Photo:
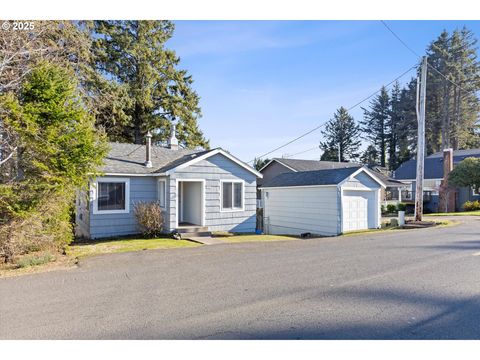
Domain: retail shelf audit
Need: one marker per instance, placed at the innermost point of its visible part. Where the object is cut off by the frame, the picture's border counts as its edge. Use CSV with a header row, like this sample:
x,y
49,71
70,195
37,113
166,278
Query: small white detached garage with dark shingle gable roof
x,y
323,202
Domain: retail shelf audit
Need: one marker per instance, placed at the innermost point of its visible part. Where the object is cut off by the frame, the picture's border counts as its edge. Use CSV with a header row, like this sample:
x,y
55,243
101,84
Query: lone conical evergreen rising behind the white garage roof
x,y
342,137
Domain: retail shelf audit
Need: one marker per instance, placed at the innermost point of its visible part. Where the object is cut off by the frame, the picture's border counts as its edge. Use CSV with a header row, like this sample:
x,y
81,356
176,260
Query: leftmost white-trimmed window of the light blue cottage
x,y
112,196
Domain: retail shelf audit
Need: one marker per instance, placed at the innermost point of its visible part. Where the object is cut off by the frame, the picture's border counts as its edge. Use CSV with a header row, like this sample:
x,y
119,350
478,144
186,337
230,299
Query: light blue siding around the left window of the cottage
x,y
109,225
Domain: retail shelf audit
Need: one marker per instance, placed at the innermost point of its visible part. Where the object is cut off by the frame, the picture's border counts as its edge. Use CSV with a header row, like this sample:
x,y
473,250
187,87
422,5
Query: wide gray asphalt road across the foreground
x,y
417,284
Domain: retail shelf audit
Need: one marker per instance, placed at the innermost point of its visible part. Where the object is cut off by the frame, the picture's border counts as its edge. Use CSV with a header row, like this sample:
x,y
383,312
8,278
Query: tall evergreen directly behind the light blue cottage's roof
x,y
133,53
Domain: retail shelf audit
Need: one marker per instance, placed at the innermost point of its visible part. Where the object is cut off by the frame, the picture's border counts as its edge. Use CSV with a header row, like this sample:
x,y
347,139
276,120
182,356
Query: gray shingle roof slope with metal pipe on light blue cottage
x,y
130,159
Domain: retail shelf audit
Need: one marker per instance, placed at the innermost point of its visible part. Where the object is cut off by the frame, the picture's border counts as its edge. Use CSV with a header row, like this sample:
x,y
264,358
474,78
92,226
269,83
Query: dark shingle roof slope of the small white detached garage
x,y
317,177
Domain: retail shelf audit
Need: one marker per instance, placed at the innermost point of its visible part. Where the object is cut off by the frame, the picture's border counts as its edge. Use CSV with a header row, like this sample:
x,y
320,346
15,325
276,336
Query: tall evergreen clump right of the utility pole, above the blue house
x,y
452,110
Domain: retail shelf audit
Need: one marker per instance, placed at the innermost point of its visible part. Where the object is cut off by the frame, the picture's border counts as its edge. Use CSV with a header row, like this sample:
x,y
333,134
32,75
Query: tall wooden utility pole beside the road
x,y
421,98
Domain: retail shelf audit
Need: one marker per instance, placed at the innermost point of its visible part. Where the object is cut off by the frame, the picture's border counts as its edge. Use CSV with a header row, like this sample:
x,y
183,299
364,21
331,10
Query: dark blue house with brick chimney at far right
x,y
436,166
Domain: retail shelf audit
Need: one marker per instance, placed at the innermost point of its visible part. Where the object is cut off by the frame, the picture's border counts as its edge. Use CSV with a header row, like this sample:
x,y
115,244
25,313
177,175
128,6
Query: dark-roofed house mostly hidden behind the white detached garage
x,y
391,194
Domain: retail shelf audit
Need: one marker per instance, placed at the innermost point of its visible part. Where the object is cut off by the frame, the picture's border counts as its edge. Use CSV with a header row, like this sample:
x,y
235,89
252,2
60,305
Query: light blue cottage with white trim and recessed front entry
x,y
208,189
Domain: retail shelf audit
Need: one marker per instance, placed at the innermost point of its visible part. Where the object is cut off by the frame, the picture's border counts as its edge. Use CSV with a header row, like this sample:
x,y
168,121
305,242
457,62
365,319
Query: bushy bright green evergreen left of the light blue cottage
x,y
59,149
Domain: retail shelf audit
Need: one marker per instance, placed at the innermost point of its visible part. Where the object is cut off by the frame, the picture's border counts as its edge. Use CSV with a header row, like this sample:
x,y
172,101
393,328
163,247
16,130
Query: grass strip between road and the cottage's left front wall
x,y
125,245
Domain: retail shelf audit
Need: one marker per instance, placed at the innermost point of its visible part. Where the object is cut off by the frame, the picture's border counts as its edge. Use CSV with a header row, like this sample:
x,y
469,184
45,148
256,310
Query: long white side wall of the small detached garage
x,y
297,210
